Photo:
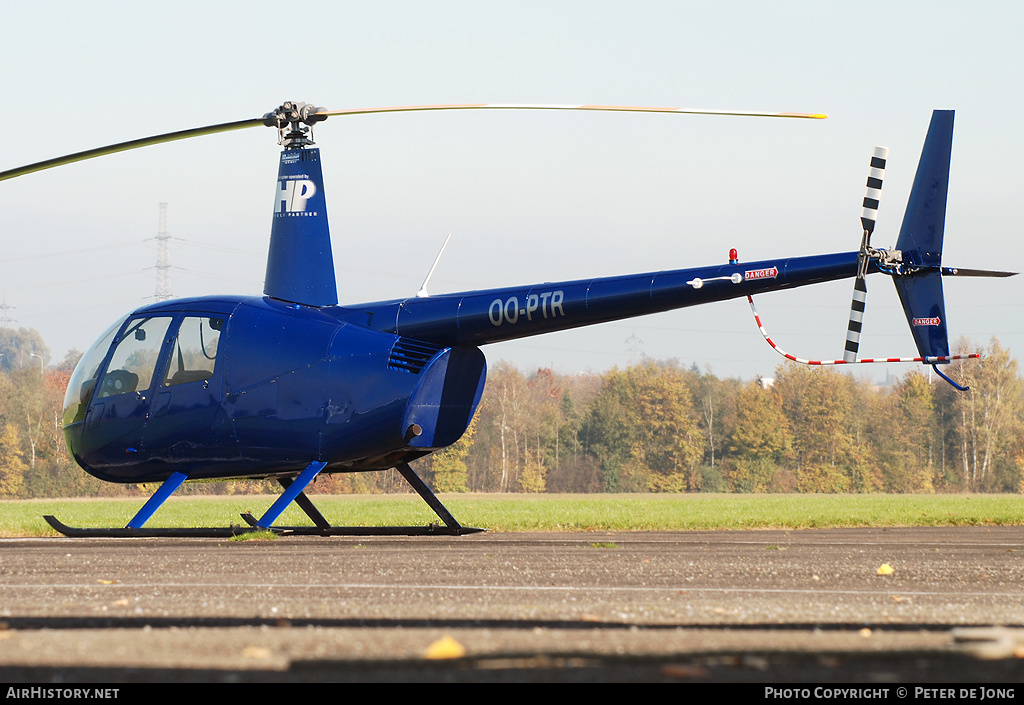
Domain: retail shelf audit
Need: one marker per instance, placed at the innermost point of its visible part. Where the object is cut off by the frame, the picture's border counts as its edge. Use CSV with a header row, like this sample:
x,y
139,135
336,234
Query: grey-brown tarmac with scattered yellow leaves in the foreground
x,y
869,606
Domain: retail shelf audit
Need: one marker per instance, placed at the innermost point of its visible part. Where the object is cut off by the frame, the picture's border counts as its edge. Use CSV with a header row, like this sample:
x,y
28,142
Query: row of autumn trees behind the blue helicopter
x,y
655,427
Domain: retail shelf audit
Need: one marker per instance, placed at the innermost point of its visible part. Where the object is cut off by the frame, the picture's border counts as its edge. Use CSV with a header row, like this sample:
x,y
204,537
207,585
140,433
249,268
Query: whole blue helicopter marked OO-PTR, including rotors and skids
x,y
292,385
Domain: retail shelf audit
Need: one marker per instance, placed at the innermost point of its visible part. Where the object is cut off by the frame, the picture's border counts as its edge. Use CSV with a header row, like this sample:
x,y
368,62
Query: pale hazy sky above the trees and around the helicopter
x,y
528,197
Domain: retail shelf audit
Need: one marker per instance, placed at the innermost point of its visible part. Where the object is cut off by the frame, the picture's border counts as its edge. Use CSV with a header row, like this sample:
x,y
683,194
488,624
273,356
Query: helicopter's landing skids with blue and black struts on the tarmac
x,y
293,492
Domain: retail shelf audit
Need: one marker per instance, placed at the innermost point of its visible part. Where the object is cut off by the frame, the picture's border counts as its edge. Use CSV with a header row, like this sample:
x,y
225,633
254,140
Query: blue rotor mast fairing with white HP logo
x,y
301,266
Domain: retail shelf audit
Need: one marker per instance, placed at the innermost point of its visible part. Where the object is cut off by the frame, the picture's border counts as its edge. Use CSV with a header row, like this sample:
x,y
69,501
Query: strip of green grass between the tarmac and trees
x,y
543,513
